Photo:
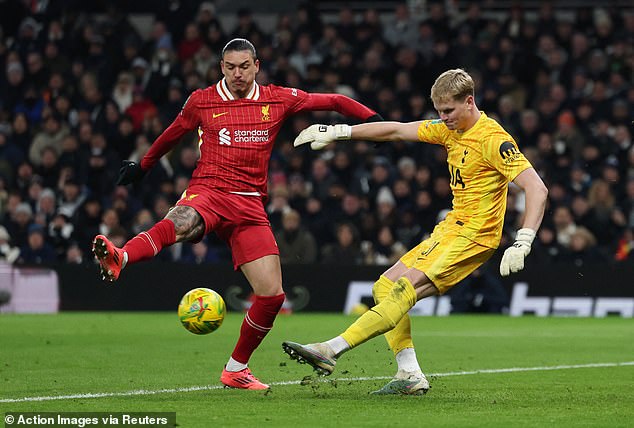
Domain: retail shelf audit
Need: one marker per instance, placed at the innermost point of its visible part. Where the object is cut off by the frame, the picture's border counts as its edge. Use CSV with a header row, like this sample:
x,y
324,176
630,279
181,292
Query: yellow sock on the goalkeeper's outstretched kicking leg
x,y
383,317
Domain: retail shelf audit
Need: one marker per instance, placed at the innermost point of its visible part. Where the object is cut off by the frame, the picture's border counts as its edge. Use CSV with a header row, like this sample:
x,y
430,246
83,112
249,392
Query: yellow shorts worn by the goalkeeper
x,y
447,257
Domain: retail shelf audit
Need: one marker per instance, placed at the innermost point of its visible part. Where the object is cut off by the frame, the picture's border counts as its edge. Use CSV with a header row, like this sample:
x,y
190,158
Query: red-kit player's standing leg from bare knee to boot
x,y
265,277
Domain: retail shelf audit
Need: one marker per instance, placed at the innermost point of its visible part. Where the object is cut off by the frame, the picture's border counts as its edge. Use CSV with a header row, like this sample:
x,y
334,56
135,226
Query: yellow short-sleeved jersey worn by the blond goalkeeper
x,y
482,161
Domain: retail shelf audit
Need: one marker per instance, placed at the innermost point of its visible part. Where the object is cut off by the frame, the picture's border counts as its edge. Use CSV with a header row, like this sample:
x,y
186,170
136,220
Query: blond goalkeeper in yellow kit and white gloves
x,y
482,159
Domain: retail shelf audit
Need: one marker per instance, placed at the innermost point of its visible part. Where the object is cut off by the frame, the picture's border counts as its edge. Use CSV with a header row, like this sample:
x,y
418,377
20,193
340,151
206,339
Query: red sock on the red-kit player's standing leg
x,y
257,323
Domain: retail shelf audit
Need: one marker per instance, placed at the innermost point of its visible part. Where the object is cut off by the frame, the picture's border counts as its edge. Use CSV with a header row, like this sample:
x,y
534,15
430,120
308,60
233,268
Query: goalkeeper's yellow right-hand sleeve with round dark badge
x,y
503,154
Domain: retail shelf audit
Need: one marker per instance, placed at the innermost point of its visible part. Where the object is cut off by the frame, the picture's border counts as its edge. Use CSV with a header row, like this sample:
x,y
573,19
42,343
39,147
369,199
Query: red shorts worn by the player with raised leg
x,y
238,220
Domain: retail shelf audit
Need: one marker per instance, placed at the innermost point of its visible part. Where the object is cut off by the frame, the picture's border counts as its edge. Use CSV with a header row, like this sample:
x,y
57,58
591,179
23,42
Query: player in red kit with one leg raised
x,y
237,121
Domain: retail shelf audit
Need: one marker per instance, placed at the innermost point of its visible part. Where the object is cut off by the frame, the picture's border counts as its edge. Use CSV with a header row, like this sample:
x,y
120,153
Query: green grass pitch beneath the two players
x,y
563,371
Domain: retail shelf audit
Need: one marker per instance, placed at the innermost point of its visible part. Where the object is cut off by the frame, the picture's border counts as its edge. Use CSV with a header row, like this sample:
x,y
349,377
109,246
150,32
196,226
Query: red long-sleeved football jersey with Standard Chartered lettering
x,y
236,136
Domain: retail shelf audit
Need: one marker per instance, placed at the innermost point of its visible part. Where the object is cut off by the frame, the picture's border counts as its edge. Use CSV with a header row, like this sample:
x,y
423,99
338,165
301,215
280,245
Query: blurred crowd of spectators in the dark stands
x,y
81,91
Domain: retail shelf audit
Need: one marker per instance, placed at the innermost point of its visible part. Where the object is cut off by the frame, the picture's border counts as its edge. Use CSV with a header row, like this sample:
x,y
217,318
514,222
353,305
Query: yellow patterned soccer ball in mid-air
x,y
201,311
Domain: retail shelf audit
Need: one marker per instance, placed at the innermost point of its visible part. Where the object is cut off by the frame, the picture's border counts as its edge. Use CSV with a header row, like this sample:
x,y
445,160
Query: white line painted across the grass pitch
x,y
295,382
